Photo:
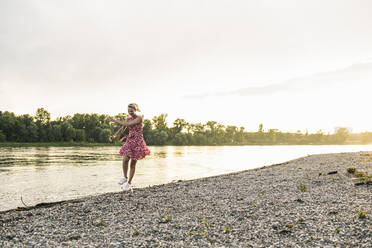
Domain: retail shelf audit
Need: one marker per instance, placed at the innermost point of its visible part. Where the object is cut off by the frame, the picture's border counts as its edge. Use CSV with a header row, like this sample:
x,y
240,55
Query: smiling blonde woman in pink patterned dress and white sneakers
x,y
135,147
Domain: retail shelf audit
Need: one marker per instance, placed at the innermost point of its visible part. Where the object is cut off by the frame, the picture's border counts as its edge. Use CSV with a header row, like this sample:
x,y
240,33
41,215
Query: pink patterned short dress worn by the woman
x,y
135,147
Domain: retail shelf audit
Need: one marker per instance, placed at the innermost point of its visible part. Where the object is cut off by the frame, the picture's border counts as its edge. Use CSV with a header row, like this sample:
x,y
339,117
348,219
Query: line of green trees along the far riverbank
x,y
95,128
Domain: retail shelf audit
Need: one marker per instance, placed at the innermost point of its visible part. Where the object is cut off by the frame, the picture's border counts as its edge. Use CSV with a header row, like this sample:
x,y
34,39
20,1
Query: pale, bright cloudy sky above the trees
x,y
290,64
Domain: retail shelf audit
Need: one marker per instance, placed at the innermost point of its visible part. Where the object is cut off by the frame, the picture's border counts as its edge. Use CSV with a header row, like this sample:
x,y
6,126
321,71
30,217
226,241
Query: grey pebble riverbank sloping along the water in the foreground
x,y
311,201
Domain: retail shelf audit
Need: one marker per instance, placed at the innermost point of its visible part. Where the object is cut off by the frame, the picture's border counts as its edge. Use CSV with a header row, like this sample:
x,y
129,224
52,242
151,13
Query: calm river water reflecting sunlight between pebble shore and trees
x,y
58,173
